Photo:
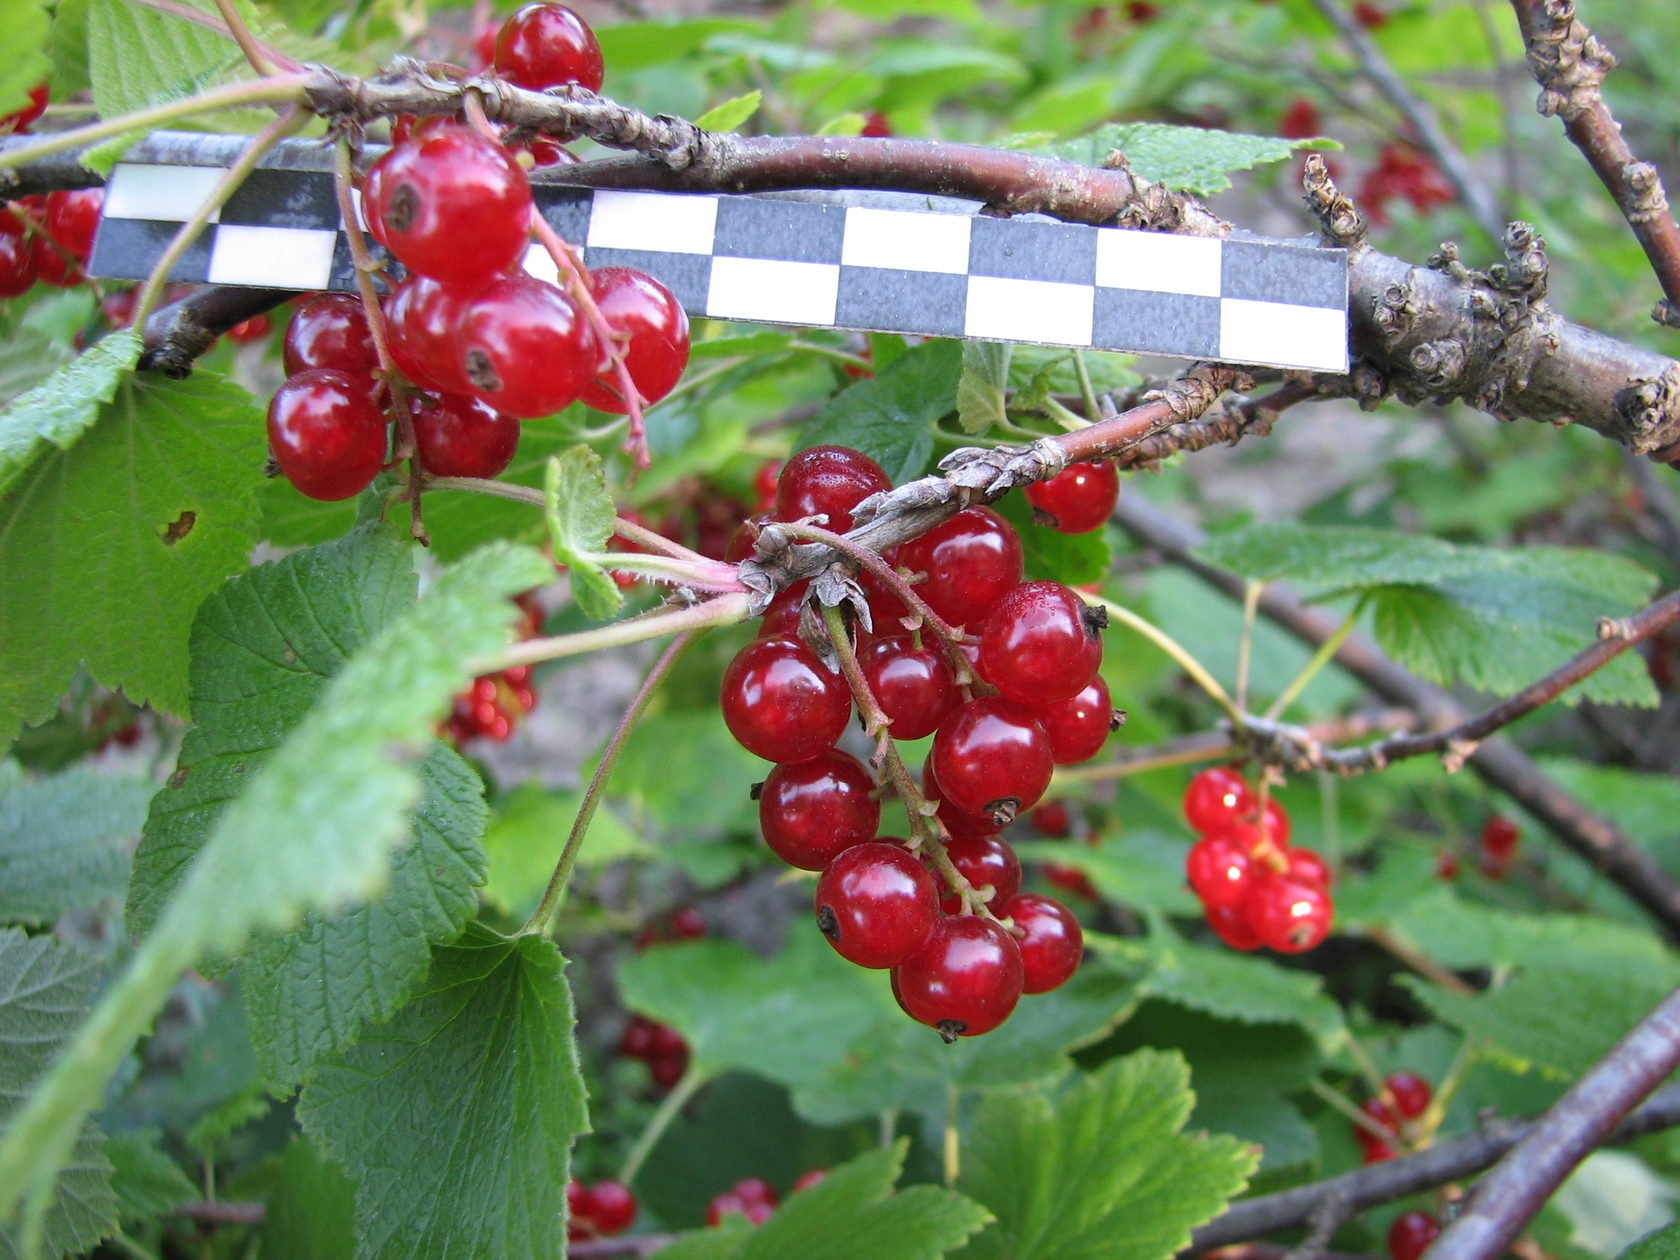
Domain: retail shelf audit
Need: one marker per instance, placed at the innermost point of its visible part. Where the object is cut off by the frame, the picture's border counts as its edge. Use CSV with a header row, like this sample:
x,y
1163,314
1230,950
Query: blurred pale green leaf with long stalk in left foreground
x,y
315,831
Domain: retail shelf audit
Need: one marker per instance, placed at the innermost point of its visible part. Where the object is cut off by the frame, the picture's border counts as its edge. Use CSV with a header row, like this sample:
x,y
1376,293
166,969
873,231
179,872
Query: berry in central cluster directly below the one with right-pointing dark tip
x,y
992,760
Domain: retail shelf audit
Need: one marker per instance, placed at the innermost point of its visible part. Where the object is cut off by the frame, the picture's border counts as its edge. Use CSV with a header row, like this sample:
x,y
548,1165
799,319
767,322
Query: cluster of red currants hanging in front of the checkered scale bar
x,y
486,344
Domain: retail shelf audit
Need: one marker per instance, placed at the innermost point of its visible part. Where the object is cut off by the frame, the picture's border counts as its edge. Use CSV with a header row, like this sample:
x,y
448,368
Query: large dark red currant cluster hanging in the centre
x,y
1017,700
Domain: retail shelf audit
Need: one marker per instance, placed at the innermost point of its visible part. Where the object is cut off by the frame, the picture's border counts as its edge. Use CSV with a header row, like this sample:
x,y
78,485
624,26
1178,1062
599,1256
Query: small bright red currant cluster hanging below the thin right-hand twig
x,y
1256,890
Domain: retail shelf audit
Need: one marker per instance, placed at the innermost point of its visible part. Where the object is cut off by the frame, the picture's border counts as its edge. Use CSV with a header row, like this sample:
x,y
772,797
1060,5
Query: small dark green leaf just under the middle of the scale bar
x,y
891,416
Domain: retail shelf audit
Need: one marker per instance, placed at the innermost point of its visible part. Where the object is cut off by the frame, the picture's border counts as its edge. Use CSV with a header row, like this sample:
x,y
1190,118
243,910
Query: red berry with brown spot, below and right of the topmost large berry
x,y
525,349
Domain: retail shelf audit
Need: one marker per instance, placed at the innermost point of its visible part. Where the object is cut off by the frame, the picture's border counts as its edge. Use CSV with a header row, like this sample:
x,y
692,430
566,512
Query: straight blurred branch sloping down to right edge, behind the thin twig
x,y
1498,762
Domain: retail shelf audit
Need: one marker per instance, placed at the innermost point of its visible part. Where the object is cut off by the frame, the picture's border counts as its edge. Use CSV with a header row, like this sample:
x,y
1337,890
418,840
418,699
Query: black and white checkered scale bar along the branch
x,y
790,260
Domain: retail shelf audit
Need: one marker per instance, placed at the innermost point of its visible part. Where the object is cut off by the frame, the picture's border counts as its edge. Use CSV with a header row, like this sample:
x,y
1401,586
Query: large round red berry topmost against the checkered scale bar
x,y
454,206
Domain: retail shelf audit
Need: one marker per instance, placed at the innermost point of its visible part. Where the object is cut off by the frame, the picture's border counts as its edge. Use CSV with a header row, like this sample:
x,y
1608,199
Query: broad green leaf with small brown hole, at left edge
x,y
107,550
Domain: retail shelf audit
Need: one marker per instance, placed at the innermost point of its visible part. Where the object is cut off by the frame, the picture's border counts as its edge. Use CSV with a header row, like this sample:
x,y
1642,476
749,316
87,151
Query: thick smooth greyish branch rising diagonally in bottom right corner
x,y
1577,1126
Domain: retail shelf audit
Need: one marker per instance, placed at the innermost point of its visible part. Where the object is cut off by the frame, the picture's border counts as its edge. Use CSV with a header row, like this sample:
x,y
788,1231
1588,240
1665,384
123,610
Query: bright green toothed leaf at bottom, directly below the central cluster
x,y
1101,1172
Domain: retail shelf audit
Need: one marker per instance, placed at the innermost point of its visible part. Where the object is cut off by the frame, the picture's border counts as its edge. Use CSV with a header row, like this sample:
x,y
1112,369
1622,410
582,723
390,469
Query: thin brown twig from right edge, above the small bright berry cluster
x,y
1459,742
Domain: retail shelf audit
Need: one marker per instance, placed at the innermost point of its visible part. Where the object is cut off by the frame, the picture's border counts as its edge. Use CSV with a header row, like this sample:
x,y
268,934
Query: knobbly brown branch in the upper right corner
x,y
1570,65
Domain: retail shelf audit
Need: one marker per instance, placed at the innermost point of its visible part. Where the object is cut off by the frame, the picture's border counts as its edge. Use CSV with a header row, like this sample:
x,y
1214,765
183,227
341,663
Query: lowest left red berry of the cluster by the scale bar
x,y
328,434
